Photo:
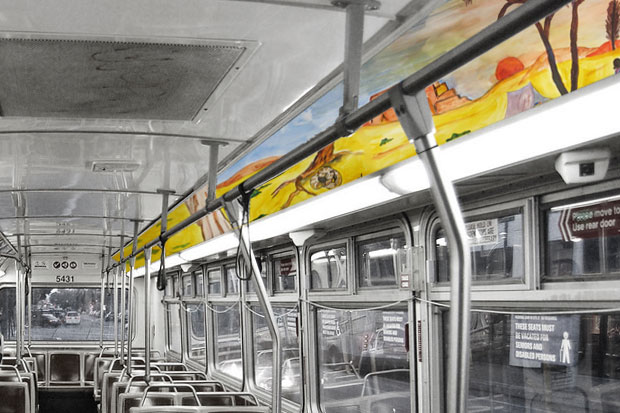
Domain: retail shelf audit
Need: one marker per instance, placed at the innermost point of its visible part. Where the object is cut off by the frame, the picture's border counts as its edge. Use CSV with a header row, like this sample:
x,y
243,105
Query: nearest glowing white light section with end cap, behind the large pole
x,y
582,117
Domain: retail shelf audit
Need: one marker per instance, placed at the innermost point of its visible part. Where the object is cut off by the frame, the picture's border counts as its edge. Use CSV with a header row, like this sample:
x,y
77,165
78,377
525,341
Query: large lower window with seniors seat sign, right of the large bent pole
x,y
543,363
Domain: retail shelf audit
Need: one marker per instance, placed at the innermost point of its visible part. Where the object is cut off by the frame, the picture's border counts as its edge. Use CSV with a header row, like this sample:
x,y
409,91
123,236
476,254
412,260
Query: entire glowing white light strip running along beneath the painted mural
x,y
582,117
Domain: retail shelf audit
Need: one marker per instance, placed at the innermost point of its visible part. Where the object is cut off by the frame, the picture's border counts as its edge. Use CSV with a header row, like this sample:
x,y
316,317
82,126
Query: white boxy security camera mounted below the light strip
x,y
582,166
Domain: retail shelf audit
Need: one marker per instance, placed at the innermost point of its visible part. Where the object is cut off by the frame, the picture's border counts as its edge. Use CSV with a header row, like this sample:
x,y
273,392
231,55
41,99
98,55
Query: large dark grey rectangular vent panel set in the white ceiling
x,y
112,79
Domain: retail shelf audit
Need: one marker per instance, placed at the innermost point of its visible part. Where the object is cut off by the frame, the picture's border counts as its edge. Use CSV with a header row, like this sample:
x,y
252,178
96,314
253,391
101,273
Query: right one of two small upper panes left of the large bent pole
x,y
378,261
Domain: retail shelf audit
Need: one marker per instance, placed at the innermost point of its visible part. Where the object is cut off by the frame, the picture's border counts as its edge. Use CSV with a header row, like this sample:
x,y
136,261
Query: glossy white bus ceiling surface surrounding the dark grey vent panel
x,y
294,48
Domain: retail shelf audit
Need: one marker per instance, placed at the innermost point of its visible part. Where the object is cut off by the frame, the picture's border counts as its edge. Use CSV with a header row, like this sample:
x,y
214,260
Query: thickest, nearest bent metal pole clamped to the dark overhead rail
x,y
417,122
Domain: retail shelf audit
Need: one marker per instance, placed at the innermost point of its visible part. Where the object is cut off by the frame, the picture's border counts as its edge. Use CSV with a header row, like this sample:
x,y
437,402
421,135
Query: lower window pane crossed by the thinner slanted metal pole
x,y
263,352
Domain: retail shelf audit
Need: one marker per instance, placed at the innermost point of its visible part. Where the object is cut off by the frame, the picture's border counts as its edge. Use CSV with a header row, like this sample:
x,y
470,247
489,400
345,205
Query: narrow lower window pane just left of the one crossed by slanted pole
x,y
228,341
